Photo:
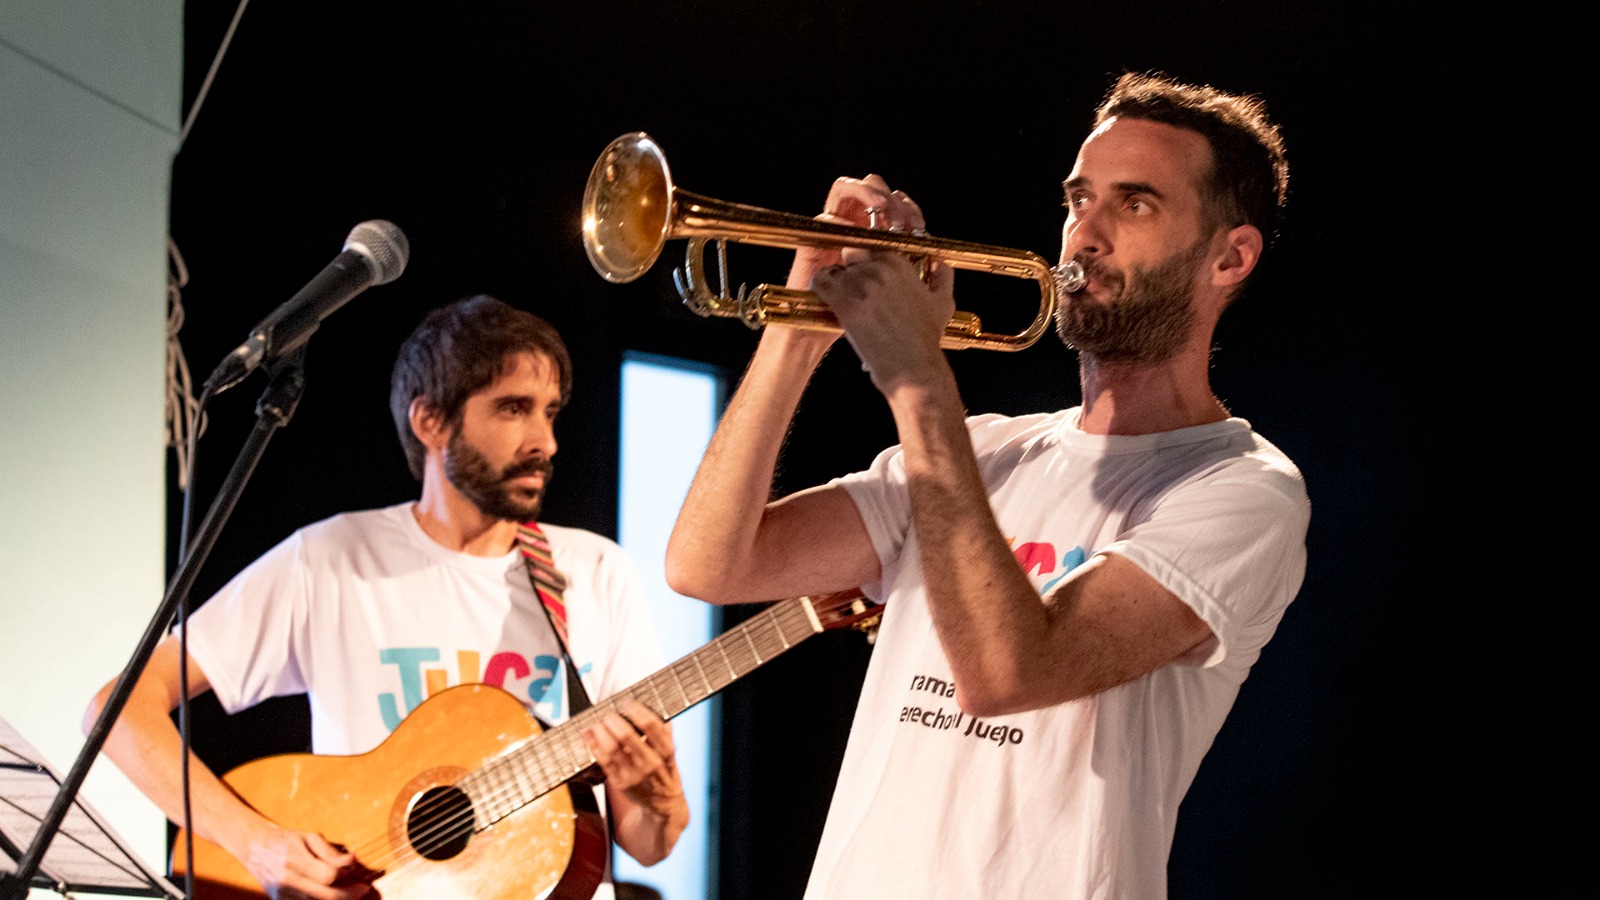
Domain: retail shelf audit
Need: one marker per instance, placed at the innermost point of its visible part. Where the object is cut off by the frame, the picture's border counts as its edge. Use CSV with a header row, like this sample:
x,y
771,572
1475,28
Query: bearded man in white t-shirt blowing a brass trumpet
x,y
1030,731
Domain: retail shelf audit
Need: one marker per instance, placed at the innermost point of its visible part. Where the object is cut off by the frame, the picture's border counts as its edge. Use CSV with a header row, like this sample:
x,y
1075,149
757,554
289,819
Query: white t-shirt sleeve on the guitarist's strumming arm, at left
x,y
242,638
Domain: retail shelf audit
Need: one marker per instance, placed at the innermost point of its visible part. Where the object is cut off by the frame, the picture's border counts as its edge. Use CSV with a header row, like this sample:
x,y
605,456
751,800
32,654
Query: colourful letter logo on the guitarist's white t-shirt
x,y
540,685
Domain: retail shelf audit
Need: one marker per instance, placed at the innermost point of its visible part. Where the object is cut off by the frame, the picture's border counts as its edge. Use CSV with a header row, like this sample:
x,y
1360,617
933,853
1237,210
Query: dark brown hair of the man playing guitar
x,y
458,352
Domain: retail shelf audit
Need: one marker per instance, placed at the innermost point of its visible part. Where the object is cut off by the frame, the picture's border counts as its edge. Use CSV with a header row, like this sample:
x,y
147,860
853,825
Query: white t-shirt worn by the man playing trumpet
x,y
1074,802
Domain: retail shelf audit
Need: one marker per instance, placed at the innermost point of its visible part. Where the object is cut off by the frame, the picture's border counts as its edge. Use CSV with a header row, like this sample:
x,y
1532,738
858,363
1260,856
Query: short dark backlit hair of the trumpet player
x,y
1250,175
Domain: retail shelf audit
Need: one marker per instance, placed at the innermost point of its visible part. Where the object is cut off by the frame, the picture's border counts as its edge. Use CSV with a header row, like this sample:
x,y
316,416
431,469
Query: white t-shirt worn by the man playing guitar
x,y
369,616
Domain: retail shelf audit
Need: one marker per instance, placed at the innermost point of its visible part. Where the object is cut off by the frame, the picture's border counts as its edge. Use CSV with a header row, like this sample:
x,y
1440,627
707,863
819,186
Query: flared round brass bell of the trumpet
x,y
628,209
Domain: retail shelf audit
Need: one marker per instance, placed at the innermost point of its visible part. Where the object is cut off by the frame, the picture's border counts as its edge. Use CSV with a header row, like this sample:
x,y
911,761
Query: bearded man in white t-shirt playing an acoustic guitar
x,y
374,613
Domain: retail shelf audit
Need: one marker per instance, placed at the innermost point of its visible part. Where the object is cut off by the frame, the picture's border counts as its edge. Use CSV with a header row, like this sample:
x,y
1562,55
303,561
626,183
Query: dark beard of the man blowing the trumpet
x,y
1148,316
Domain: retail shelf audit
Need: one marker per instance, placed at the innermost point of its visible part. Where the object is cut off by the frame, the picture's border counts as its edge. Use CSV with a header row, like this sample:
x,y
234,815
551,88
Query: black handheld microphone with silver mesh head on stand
x,y
375,254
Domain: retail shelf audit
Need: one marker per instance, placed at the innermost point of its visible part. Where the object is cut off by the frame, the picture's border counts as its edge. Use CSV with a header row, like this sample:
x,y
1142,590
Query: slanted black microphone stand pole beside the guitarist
x,y
274,409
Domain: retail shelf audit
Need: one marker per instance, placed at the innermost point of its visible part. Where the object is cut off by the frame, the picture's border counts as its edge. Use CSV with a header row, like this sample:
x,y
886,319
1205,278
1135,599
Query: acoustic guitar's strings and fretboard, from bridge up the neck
x,y
439,822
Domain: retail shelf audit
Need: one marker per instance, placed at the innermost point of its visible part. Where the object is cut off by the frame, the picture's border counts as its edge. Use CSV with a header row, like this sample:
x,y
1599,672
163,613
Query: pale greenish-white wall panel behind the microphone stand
x,y
89,126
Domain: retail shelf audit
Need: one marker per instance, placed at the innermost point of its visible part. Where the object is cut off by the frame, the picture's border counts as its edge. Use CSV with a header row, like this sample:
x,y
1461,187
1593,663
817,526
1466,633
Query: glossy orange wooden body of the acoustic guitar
x,y
556,846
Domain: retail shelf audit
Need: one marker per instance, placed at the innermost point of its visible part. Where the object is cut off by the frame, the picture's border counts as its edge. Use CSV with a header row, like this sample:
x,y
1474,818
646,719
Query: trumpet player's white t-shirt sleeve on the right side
x,y
1233,547
